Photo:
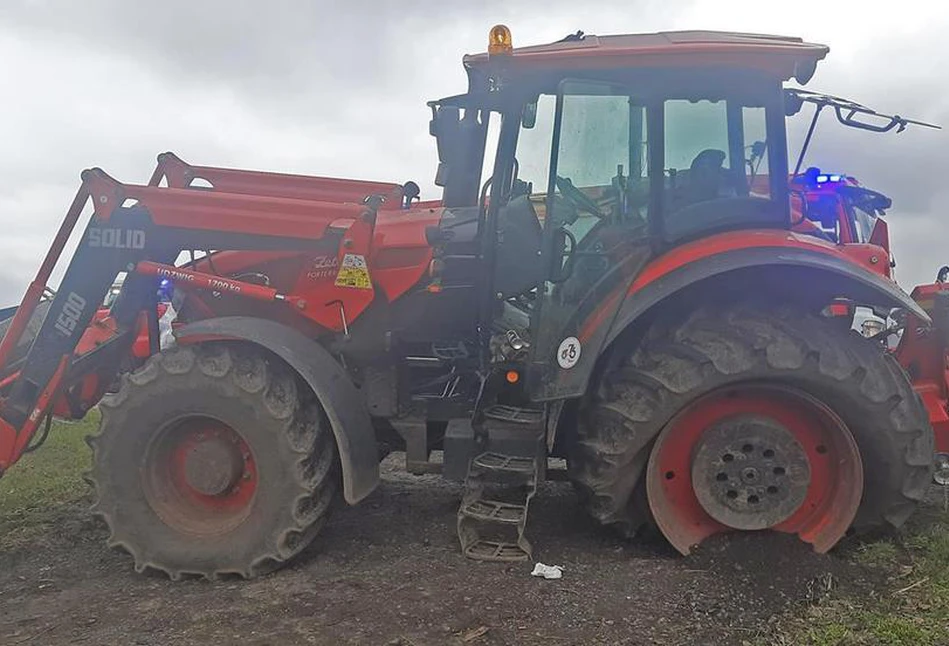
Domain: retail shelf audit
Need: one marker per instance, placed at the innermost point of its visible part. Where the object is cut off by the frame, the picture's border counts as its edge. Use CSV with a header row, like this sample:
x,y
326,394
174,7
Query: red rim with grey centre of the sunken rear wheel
x,y
783,428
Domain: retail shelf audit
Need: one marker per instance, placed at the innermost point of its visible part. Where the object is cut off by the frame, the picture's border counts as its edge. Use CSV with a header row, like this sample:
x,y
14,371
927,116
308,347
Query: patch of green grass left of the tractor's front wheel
x,y
38,486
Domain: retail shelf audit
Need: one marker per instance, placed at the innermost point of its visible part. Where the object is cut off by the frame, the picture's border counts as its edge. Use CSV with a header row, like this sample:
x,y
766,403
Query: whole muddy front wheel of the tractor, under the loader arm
x,y
213,460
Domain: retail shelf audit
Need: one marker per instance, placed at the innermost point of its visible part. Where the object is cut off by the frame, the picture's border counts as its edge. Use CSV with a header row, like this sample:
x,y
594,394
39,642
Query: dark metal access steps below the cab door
x,y
500,483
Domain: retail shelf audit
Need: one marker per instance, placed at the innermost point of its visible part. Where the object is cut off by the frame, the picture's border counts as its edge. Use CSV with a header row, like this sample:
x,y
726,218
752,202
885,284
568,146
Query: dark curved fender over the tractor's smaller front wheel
x,y
342,402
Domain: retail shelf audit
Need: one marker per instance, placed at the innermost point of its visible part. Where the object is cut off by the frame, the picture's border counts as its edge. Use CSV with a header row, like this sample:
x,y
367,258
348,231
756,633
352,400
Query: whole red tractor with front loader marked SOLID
x,y
632,284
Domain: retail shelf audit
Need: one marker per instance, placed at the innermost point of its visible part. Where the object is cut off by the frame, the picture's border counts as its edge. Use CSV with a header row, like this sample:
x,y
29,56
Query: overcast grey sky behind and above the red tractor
x,y
329,88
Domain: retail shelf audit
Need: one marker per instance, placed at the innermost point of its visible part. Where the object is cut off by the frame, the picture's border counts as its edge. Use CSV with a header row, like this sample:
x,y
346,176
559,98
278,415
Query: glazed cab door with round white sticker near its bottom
x,y
596,231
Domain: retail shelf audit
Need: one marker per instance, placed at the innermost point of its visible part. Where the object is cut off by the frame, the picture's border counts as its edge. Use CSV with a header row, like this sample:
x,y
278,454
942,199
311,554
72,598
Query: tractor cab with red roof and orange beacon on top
x,y
610,151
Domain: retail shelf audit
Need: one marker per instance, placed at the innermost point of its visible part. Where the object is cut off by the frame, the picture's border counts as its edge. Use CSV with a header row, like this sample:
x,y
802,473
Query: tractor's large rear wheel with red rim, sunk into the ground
x,y
743,419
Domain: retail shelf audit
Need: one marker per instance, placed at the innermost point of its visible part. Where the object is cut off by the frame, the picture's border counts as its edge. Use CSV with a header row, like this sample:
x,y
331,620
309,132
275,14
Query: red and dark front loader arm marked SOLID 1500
x,y
142,230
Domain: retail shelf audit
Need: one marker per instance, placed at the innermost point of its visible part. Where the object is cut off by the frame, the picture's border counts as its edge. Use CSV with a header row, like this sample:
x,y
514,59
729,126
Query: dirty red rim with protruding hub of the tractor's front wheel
x,y
200,476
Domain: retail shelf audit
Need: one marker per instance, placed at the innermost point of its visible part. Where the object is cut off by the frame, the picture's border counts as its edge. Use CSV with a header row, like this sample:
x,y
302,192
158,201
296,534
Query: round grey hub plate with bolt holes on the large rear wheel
x,y
749,472
